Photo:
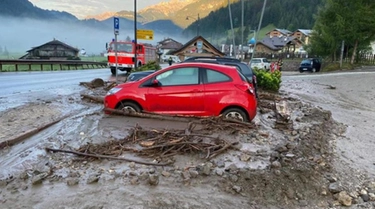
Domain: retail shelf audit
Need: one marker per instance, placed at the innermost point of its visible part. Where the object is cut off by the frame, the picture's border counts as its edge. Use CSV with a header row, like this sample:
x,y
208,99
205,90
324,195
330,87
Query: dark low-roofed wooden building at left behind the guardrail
x,y
53,50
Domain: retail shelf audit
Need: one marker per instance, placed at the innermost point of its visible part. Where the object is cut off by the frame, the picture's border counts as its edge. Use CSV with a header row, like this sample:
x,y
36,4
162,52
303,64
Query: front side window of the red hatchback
x,y
179,76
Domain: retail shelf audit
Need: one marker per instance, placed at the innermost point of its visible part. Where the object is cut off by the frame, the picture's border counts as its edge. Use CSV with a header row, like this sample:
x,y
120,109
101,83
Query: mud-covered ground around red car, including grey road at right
x,y
321,157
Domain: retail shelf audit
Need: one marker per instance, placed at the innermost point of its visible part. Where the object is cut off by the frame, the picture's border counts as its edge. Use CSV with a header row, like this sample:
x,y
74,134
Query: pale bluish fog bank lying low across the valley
x,y
19,35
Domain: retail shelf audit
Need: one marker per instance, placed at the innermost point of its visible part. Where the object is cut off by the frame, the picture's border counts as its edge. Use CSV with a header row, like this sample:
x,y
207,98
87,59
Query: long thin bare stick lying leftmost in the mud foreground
x,y
105,156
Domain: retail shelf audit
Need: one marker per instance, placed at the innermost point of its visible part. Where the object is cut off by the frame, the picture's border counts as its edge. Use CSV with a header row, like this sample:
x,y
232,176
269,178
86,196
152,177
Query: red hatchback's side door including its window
x,y
179,92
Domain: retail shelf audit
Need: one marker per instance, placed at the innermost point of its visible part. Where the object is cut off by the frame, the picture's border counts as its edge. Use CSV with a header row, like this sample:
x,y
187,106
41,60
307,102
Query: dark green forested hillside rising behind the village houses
x,y
290,14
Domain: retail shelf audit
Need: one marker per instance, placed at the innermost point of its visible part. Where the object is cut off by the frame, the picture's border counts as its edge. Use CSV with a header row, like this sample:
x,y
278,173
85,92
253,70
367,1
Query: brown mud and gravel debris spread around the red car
x,y
285,161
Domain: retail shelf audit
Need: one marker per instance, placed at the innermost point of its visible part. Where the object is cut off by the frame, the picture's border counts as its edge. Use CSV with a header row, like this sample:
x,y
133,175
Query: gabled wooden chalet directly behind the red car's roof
x,y
198,46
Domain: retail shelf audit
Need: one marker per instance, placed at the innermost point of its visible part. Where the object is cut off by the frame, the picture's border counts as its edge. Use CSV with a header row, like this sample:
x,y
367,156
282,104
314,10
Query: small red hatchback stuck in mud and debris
x,y
197,89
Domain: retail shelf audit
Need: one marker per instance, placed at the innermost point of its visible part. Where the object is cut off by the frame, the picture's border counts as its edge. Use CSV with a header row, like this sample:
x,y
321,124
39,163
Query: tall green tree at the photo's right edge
x,y
343,20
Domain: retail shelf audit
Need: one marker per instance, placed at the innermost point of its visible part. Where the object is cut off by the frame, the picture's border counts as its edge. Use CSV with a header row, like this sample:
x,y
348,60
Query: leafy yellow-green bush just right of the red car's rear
x,y
268,80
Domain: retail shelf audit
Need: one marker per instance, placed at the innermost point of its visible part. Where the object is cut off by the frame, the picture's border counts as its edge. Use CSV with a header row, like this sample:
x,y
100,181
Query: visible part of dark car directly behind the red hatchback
x,y
242,67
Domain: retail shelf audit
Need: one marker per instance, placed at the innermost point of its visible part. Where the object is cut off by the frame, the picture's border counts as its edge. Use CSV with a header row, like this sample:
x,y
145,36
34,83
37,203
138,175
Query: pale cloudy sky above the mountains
x,y
83,8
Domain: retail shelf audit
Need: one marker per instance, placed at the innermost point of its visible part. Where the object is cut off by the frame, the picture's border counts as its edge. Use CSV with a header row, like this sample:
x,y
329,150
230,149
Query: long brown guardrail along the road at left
x,y
69,63
